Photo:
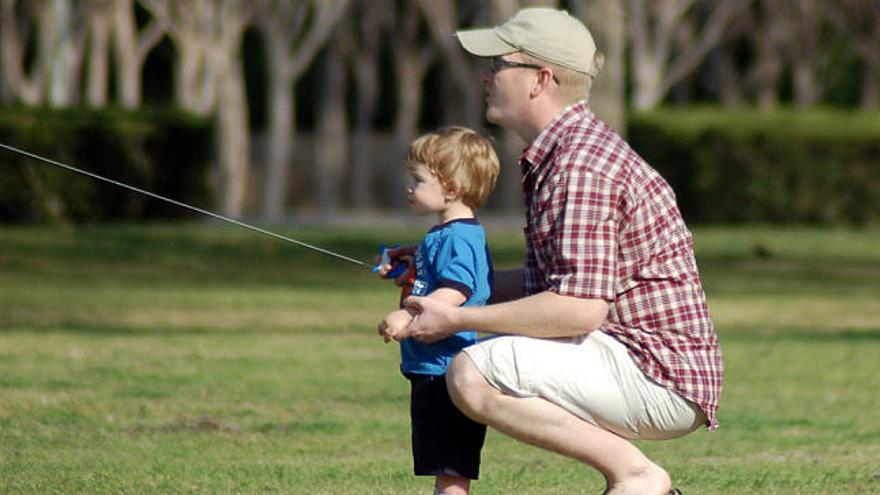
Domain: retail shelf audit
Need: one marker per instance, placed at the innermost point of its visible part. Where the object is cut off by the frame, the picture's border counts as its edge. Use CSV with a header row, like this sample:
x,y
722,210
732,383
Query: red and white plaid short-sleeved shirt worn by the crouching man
x,y
602,224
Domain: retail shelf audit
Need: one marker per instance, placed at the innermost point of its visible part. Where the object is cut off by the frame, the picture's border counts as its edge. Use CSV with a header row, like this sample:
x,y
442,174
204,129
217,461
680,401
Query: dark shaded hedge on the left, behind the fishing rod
x,y
163,151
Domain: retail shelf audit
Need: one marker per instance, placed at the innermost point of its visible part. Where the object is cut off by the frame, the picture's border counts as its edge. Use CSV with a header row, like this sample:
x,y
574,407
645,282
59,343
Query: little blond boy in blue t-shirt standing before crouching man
x,y
453,171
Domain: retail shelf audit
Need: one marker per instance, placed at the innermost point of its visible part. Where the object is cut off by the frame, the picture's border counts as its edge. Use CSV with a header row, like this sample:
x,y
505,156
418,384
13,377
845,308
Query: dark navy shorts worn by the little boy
x,y
445,441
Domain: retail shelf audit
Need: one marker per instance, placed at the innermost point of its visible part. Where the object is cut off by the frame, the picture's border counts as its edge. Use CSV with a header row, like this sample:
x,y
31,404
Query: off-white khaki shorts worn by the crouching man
x,y
592,377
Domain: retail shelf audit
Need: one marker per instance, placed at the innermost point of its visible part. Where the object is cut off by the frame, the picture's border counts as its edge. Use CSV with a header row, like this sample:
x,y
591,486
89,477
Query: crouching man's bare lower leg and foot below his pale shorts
x,y
546,425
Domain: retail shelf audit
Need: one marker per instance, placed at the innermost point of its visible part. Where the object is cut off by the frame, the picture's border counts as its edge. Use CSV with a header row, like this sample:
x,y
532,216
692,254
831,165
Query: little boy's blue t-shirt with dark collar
x,y
454,255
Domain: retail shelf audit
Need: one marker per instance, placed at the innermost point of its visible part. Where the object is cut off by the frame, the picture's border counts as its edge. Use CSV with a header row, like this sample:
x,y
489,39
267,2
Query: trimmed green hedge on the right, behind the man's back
x,y
812,166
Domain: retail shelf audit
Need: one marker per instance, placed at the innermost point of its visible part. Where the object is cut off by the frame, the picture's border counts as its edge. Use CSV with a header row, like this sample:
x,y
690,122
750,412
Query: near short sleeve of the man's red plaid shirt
x,y
584,235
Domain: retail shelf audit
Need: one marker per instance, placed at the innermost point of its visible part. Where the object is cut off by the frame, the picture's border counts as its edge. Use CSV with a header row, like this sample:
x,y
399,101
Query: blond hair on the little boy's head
x,y
464,161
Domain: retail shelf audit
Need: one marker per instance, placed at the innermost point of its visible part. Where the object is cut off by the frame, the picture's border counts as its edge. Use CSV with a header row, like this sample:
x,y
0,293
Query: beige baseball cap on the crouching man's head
x,y
547,34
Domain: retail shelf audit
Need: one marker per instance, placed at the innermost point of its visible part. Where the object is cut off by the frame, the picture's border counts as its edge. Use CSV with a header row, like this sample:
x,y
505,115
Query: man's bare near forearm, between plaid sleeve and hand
x,y
546,314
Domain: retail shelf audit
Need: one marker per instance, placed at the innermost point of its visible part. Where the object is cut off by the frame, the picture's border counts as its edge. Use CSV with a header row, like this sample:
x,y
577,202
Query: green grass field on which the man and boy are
x,y
192,359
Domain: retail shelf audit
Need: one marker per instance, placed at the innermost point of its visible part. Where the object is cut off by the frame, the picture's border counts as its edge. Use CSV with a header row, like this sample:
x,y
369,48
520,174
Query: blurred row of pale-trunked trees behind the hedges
x,y
313,102
